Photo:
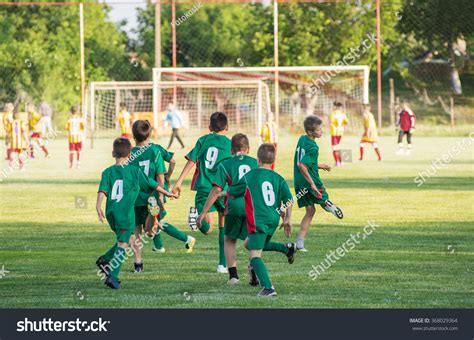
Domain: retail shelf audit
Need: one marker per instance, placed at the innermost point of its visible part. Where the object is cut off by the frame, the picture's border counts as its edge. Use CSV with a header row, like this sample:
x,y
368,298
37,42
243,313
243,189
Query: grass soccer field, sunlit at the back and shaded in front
x,y
421,254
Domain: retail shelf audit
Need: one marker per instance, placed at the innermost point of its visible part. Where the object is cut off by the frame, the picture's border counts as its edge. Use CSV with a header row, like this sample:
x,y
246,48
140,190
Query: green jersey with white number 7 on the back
x,y
149,158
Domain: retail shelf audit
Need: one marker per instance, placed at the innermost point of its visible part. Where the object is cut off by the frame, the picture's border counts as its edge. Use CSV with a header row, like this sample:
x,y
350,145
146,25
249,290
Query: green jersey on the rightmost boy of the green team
x,y
307,152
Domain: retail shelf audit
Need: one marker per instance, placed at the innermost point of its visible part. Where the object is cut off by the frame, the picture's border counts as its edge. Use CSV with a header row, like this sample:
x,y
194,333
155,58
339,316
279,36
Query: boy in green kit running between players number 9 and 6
x,y
229,172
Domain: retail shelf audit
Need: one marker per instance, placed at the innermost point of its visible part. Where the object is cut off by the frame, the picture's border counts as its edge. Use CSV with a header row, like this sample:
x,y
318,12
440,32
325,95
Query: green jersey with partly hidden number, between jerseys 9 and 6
x,y
231,172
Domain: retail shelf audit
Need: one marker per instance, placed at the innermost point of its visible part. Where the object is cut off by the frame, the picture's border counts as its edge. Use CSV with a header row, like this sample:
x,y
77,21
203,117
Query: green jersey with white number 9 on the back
x,y
210,150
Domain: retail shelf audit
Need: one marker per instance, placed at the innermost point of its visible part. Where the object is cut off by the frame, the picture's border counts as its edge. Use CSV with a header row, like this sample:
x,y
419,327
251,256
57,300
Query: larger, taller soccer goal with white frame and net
x,y
252,95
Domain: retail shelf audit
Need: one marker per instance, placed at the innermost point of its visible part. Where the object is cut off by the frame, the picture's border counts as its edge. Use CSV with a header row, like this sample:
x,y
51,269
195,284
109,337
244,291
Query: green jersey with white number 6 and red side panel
x,y
264,191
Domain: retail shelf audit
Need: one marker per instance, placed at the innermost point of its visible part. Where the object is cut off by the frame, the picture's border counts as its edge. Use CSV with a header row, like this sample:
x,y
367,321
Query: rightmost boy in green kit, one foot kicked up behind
x,y
308,185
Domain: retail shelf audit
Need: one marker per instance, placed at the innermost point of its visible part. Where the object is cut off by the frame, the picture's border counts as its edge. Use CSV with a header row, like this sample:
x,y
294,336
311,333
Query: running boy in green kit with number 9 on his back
x,y
210,150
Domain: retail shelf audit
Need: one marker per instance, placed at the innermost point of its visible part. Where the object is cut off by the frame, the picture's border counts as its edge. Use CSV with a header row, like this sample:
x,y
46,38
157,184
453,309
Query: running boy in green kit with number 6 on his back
x,y
267,197
